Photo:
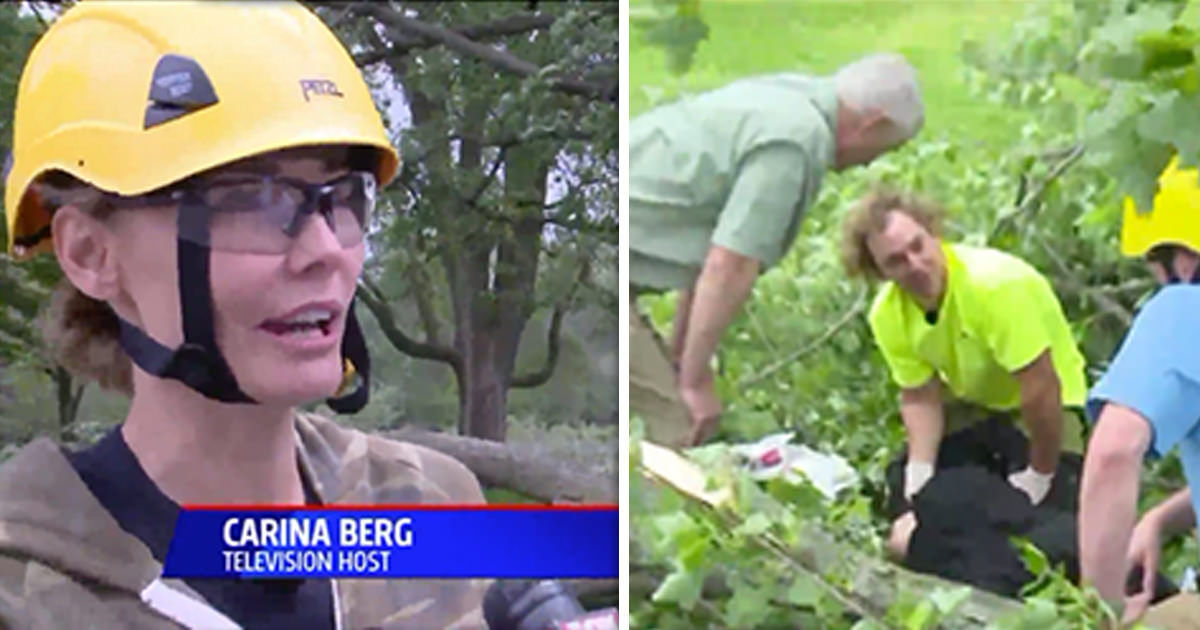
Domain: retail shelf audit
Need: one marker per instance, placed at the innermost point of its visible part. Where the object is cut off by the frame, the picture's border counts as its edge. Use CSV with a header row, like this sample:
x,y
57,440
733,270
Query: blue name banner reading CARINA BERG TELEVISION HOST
x,y
502,542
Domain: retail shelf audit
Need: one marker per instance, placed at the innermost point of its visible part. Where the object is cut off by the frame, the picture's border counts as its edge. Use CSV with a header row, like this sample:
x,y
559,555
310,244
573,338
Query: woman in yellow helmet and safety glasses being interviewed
x,y
205,175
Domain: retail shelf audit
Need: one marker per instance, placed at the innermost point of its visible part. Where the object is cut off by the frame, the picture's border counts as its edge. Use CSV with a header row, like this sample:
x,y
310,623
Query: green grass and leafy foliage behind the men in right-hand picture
x,y
1065,106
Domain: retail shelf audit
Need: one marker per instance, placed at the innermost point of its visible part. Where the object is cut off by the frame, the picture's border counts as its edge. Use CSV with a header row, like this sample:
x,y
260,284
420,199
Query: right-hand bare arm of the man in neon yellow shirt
x,y
1042,412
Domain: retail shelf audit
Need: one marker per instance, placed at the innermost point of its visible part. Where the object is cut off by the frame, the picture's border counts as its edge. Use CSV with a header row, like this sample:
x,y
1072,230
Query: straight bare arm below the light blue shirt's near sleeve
x,y
1109,499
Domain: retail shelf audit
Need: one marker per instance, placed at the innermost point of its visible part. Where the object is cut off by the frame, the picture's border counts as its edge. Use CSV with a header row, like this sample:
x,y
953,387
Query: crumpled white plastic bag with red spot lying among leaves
x,y
775,457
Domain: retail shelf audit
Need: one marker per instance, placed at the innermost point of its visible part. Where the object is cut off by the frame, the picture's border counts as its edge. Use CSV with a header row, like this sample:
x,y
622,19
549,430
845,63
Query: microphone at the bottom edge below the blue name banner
x,y
541,605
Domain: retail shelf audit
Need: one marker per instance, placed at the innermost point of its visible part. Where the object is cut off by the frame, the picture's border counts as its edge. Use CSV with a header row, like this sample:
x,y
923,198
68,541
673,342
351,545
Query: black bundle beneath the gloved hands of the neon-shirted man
x,y
969,513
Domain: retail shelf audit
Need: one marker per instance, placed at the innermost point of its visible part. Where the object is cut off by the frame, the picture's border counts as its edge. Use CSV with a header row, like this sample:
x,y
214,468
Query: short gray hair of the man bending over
x,y
884,83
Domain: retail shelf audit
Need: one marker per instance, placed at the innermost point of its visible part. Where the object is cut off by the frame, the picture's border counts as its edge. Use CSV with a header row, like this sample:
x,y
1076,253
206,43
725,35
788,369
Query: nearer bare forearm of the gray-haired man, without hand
x,y
722,289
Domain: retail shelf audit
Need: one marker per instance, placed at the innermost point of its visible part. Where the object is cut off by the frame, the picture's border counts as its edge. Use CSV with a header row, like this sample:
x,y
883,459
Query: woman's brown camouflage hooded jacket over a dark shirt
x,y
65,565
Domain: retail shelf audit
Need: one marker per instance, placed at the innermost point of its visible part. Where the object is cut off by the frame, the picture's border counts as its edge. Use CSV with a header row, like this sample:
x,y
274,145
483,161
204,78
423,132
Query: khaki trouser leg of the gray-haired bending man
x,y
653,394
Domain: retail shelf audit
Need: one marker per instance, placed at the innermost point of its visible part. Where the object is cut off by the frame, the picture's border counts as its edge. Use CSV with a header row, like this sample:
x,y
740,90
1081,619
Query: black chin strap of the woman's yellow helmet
x,y
199,363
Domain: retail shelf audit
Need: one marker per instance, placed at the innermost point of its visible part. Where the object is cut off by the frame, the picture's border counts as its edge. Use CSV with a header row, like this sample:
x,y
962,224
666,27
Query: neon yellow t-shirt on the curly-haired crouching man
x,y
998,316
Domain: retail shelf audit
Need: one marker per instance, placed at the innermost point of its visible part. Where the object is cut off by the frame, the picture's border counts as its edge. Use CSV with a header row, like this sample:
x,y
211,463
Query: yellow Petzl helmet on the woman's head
x,y
131,97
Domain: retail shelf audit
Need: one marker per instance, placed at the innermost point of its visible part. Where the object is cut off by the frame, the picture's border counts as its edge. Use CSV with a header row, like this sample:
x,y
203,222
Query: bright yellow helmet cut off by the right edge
x,y
1173,220
